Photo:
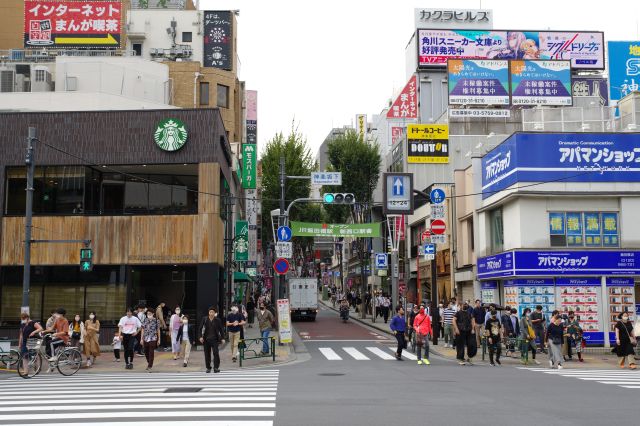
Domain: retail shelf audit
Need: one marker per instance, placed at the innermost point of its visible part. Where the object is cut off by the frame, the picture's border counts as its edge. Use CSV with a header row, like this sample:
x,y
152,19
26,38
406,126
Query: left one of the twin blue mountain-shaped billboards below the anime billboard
x,y
478,82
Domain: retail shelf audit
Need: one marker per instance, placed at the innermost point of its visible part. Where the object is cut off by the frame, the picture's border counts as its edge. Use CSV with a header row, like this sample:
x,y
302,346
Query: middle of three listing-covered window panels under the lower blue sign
x,y
580,295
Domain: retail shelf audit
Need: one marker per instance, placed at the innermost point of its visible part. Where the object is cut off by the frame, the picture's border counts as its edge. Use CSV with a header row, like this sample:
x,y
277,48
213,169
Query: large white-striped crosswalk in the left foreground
x,y
234,398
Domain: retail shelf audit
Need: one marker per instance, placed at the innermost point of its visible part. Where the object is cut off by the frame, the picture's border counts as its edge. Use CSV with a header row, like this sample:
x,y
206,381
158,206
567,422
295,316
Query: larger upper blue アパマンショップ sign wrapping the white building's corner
x,y
570,157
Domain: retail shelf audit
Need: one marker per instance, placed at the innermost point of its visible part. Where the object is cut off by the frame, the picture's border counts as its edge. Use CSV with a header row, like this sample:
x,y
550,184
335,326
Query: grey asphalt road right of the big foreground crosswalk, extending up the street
x,y
369,392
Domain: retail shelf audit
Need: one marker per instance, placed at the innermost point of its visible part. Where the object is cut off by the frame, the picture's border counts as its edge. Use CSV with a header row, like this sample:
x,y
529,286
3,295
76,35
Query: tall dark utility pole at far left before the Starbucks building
x,y
31,167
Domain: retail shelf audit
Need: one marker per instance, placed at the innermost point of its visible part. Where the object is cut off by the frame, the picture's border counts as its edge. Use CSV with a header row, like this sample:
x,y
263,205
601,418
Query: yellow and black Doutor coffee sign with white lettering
x,y
428,143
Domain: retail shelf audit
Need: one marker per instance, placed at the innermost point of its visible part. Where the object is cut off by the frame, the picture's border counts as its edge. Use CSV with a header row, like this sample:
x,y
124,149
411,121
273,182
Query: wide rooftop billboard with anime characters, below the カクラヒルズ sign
x,y
585,50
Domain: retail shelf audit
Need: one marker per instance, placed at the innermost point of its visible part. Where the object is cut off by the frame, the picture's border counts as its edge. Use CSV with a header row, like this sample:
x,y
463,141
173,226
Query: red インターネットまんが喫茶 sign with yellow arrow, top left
x,y
72,24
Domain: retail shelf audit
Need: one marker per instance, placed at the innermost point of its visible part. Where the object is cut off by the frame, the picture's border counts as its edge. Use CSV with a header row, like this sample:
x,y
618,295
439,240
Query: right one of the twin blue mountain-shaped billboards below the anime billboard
x,y
541,83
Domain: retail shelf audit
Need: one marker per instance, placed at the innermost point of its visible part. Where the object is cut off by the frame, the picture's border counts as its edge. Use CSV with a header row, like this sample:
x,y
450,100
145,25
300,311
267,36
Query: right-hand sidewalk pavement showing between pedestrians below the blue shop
x,y
596,358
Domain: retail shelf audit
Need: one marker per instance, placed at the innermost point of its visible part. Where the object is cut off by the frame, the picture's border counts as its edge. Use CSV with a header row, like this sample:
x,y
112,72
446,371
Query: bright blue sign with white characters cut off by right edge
x,y
624,68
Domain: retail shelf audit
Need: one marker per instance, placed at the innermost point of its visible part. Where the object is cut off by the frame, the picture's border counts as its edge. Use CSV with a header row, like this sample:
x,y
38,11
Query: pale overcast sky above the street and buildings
x,y
323,62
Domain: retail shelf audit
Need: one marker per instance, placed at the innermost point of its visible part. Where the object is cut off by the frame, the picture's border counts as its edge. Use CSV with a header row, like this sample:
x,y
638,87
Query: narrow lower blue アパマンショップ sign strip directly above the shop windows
x,y
559,263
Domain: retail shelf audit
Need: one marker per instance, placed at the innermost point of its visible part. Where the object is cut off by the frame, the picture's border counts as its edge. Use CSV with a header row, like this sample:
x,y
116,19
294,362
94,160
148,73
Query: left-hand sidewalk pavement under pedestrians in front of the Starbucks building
x,y
164,362
